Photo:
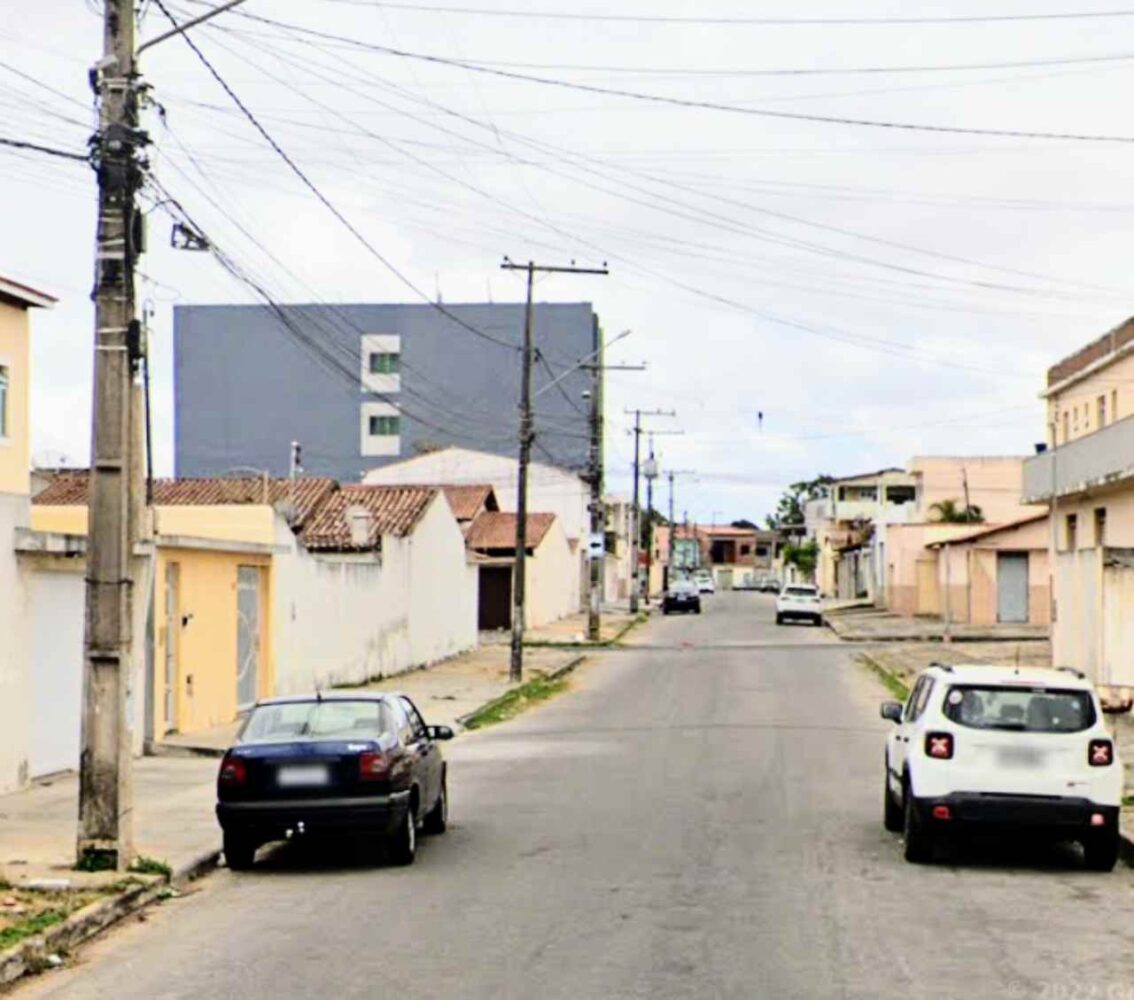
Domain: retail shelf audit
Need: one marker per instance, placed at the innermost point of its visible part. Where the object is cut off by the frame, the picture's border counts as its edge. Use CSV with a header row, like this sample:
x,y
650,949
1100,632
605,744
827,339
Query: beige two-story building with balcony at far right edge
x,y
1087,472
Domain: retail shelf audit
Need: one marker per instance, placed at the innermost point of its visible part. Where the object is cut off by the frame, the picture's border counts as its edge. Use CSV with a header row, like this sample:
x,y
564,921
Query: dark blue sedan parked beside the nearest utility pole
x,y
363,765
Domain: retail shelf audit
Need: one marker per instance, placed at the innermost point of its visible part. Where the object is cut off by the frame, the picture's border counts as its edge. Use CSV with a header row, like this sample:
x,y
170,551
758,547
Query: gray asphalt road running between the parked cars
x,y
697,821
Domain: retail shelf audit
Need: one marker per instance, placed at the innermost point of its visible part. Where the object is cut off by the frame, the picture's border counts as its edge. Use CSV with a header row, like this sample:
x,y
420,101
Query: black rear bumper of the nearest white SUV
x,y
1043,815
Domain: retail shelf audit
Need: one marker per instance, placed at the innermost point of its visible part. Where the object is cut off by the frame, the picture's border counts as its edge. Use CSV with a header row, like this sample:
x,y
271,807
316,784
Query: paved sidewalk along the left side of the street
x,y
174,801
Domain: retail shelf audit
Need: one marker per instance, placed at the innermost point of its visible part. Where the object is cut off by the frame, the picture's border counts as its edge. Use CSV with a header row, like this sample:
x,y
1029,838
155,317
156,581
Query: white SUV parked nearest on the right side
x,y
1006,750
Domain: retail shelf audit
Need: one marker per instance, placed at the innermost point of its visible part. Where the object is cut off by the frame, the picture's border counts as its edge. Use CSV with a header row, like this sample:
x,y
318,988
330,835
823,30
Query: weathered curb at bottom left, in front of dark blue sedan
x,y
32,955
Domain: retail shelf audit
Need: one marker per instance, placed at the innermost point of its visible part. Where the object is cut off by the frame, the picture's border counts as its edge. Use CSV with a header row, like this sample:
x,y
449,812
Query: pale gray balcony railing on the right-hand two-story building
x,y
1090,462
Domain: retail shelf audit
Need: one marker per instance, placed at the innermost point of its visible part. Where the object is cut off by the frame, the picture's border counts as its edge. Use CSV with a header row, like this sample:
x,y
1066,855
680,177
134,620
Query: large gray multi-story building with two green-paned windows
x,y
362,386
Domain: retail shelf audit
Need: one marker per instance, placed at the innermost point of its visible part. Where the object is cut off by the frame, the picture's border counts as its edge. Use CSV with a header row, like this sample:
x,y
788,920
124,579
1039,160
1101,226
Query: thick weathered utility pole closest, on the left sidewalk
x,y
106,808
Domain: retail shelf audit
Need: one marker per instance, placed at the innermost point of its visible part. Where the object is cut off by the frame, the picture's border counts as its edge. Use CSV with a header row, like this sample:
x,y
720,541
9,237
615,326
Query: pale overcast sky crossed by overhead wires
x,y
875,293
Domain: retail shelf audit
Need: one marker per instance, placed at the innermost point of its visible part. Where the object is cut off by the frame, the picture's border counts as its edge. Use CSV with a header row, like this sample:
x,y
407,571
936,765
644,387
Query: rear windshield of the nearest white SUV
x,y
1021,709
